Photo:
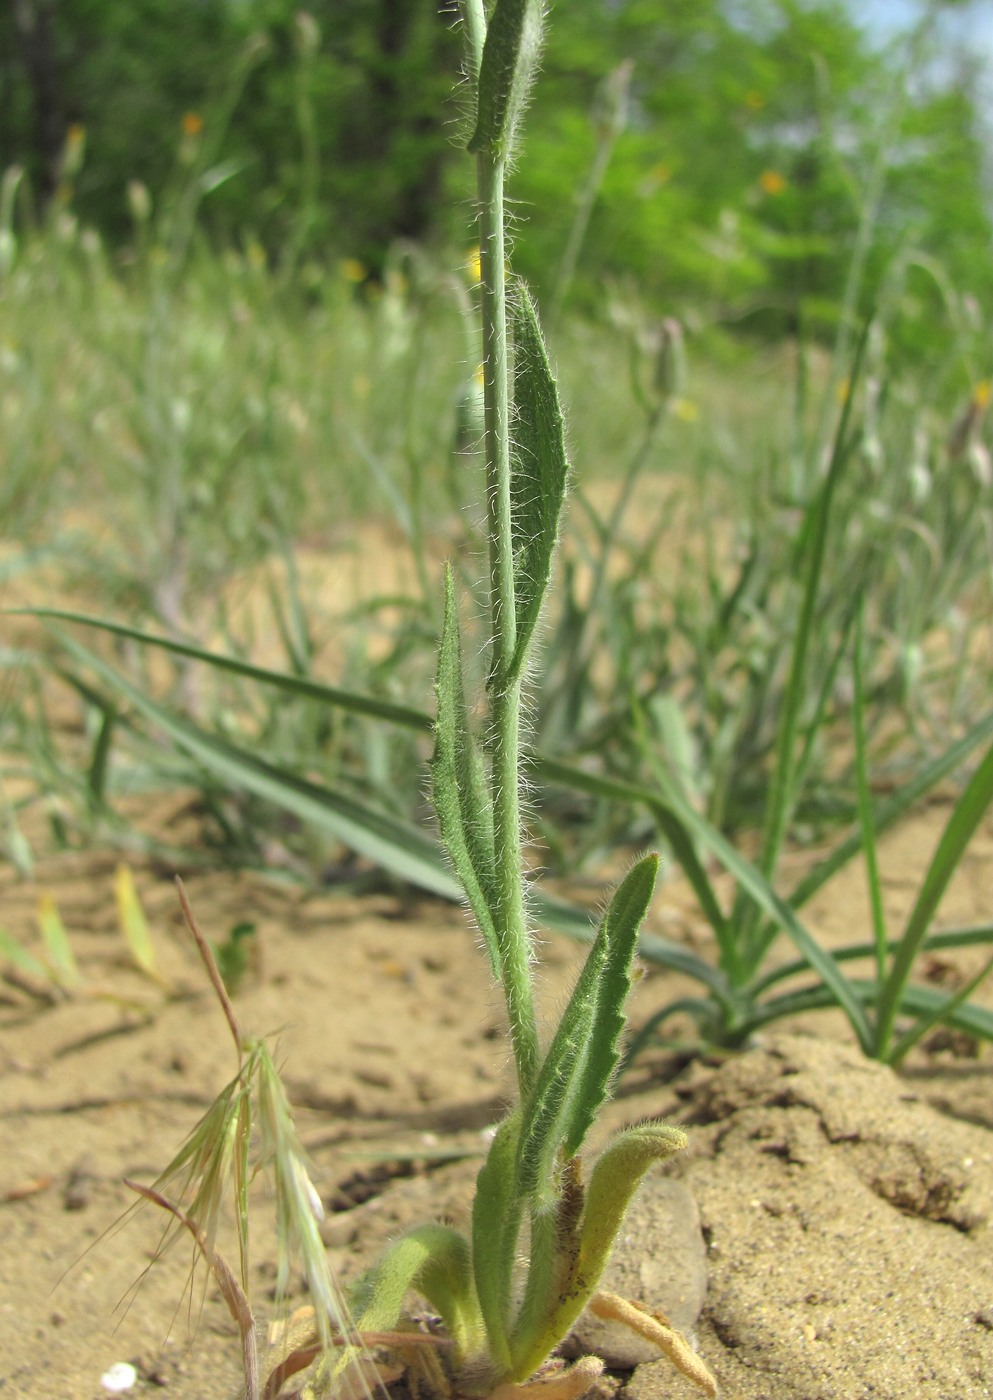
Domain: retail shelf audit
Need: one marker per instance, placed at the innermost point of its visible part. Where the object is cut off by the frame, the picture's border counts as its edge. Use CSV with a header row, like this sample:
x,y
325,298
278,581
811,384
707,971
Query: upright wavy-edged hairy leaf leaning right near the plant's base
x,y
576,1074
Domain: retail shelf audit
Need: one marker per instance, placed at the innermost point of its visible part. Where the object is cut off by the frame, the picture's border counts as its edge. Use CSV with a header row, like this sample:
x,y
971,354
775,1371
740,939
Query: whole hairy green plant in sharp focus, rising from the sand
x,y
541,1231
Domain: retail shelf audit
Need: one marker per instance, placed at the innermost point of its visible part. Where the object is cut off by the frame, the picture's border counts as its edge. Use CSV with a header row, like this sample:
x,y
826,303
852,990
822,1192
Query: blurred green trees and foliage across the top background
x,y
774,163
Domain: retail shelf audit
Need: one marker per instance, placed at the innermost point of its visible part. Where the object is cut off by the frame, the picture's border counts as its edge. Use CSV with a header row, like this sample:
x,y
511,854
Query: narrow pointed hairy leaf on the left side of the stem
x,y
459,785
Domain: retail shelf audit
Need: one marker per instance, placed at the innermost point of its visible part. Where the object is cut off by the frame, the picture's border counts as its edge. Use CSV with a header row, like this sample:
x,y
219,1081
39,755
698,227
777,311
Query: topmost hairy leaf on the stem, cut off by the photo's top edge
x,y
511,57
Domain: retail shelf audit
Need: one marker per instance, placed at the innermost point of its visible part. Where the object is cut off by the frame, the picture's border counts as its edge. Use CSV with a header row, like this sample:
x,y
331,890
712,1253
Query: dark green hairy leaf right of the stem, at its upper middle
x,y
539,470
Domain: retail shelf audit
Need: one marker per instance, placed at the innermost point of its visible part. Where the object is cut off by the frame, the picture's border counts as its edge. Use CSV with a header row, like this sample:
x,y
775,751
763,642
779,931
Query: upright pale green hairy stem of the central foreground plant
x,y
506,689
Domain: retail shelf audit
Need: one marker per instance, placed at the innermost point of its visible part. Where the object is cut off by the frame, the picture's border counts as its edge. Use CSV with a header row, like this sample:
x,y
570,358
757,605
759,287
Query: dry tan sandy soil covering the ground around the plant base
x,y
845,1212
